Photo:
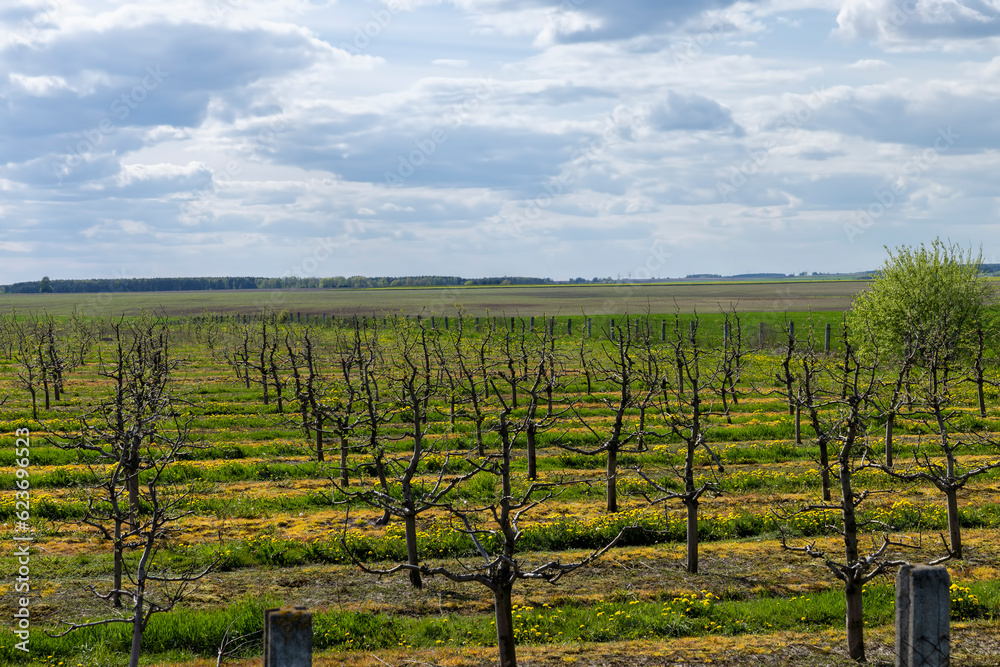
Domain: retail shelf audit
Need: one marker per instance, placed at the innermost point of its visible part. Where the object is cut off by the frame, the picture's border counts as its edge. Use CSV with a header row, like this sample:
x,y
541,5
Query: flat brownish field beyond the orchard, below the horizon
x,y
552,300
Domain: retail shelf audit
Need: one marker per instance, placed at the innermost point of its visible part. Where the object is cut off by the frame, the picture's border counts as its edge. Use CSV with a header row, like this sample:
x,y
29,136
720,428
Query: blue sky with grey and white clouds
x,y
551,138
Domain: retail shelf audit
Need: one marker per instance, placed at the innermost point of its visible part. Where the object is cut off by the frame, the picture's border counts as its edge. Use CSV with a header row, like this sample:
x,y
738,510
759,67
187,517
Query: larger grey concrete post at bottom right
x,y
923,608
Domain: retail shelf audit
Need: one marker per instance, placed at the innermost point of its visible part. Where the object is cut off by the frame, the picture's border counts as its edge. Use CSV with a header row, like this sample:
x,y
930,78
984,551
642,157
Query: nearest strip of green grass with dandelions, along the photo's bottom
x,y
186,632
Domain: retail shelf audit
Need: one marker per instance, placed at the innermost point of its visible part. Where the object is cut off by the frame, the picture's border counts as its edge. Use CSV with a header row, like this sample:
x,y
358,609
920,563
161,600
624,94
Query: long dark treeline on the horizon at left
x,y
245,282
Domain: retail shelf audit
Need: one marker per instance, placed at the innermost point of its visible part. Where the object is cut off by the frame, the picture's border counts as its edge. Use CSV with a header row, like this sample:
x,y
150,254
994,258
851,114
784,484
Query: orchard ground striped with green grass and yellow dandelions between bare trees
x,y
262,503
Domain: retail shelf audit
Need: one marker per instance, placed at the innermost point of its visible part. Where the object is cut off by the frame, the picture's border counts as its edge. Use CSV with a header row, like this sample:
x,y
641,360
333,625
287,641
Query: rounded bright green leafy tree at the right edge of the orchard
x,y
924,301
